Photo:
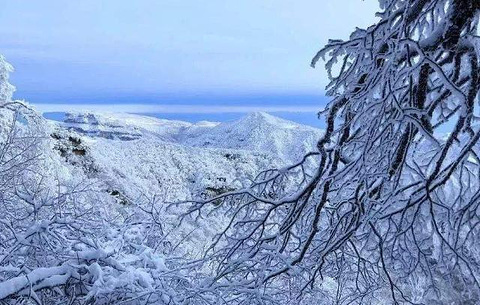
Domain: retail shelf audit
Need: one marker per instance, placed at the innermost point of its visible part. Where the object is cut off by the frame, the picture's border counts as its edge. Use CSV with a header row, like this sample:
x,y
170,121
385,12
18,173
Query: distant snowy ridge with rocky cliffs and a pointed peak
x,y
258,132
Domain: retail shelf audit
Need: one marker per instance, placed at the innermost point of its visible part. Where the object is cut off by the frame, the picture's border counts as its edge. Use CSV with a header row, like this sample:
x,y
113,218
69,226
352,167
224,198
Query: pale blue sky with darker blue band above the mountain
x,y
170,52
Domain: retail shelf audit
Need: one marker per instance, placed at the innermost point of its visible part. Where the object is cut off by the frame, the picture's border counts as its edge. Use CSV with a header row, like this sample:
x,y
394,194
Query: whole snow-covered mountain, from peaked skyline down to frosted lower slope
x,y
139,156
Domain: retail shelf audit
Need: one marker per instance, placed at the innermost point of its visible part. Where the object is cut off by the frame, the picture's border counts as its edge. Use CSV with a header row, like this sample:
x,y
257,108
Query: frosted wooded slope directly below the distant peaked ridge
x,y
144,168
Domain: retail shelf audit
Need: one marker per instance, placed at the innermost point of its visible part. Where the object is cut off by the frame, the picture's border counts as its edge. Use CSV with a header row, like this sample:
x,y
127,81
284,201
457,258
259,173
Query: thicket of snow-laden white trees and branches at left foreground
x,y
63,239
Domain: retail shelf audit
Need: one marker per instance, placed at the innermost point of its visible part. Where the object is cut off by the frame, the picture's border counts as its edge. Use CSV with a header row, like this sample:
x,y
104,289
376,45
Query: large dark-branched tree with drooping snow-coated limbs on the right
x,y
391,212
